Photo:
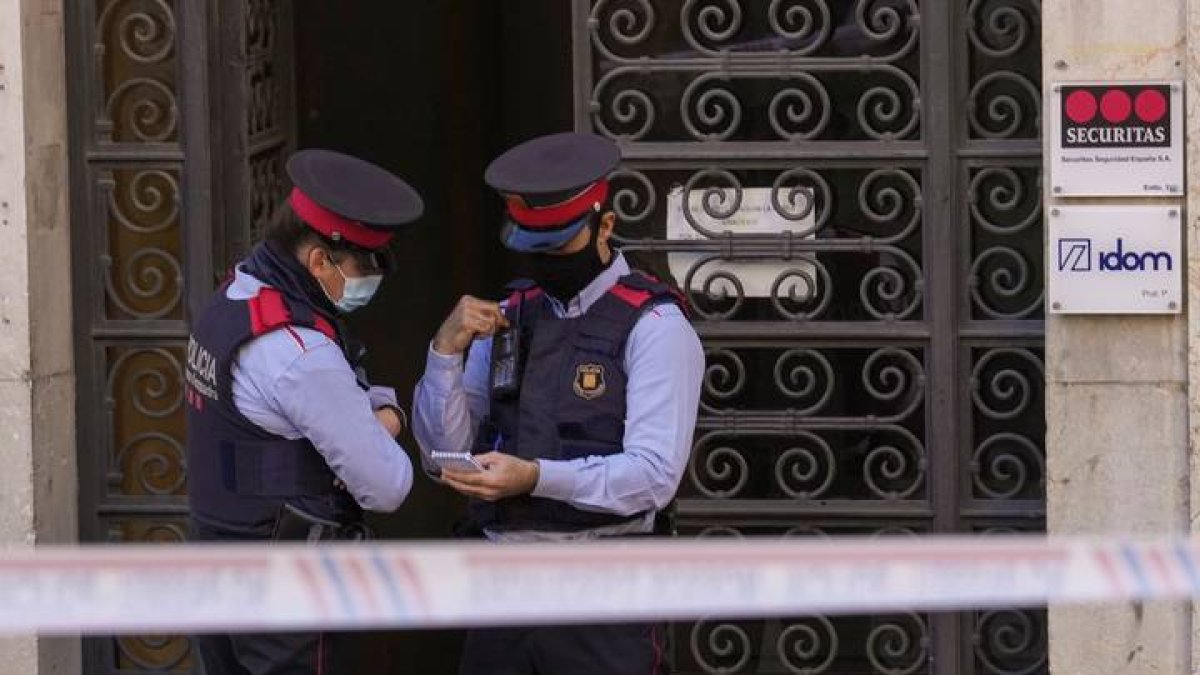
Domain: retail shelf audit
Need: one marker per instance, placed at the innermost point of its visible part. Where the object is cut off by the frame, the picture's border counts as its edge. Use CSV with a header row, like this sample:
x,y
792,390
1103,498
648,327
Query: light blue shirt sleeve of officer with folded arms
x,y
321,398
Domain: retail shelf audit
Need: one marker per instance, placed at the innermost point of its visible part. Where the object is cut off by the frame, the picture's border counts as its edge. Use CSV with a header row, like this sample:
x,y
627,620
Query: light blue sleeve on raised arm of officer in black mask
x,y
451,402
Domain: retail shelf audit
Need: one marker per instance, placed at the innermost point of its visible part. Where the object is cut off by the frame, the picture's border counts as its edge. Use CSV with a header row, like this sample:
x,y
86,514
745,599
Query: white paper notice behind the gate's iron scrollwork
x,y
755,216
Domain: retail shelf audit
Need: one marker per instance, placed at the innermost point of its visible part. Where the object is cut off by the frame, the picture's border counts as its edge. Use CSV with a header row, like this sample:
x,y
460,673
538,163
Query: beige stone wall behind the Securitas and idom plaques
x,y
1118,389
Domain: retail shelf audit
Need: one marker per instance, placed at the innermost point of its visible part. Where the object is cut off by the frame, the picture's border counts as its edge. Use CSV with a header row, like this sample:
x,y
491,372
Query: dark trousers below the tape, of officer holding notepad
x,y
622,649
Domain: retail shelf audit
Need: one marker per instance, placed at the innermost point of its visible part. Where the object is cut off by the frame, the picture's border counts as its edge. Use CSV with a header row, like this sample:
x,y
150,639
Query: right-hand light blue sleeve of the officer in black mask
x,y
665,365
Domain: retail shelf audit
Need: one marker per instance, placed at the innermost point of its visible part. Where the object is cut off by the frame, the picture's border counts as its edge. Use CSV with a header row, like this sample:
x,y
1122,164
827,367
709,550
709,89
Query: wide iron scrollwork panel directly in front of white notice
x,y
889,206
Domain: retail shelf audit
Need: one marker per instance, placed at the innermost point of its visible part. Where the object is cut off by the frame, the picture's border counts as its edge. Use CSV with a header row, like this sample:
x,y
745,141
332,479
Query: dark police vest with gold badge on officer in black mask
x,y
572,402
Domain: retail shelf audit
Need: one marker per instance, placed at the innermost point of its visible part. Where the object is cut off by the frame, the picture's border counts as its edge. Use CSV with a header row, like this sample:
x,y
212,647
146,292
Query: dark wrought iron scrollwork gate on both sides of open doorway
x,y
875,369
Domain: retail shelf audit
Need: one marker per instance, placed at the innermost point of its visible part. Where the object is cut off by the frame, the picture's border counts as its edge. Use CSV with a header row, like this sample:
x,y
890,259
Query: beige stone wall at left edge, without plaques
x,y
39,482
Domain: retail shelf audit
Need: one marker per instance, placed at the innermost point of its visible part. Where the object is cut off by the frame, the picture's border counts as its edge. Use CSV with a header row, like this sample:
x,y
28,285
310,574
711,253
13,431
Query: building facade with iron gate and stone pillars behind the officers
x,y
851,193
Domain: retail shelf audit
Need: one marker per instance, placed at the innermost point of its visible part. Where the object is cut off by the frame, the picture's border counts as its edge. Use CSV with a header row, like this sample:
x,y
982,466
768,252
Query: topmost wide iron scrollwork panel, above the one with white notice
x,y
699,70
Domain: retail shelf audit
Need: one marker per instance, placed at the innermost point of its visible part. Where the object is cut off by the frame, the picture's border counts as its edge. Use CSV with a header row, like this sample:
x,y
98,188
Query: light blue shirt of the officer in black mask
x,y
664,363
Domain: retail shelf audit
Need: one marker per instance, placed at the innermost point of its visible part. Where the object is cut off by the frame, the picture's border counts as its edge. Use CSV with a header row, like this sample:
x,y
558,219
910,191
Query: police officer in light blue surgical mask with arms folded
x,y
286,439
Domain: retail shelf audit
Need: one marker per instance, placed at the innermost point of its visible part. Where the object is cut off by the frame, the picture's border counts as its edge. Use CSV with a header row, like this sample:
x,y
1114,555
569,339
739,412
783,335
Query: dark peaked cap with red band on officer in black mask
x,y
553,187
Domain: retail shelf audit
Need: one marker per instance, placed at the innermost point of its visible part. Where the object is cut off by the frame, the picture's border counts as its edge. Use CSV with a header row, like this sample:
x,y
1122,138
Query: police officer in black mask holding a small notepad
x,y
578,398
